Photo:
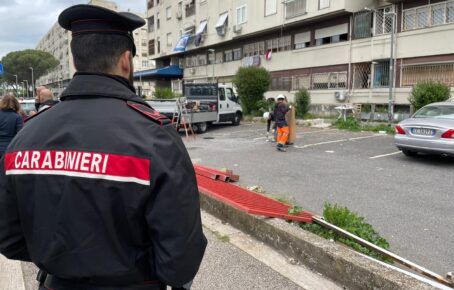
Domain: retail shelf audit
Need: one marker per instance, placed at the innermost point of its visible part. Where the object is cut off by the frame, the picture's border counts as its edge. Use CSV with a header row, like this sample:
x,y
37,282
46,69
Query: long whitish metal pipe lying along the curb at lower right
x,y
320,221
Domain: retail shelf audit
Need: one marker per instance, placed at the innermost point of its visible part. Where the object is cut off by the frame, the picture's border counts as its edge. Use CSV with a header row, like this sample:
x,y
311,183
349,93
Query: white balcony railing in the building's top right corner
x,y
428,15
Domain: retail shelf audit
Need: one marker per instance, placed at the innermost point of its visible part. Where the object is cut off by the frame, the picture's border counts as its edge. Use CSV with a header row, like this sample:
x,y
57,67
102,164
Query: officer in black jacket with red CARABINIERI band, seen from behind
x,y
99,191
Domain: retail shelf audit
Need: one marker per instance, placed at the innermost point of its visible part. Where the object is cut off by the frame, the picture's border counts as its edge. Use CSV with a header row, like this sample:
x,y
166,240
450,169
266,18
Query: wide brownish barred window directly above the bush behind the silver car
x,y
442,73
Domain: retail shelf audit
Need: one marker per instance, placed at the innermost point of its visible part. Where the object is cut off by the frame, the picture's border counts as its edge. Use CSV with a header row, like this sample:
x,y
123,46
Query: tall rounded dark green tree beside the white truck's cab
x,y
251,84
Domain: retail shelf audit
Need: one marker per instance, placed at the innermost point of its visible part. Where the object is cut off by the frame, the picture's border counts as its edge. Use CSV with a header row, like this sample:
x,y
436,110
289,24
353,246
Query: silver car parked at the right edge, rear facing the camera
x,y
429,130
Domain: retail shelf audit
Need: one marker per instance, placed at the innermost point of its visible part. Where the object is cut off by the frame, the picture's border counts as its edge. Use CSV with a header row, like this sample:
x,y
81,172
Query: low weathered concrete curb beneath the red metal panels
x,y
340,264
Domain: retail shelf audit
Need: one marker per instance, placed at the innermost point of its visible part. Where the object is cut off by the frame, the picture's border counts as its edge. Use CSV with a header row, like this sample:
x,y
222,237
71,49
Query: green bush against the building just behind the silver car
x,y
428,92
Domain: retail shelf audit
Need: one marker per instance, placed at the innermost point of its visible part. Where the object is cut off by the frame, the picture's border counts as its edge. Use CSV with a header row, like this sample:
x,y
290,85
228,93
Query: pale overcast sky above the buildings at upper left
x,y
24,22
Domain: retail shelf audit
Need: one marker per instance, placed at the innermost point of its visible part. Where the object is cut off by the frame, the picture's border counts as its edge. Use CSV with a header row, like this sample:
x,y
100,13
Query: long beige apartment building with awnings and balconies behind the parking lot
x,y
334,48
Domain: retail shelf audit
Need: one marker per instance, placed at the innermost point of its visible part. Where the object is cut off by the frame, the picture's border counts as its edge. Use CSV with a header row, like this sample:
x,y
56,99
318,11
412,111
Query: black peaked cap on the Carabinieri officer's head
x,y
84,19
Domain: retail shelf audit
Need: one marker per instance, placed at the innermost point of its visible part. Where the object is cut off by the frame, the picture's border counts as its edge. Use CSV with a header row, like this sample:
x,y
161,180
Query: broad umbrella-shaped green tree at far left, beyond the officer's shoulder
x,y
19,63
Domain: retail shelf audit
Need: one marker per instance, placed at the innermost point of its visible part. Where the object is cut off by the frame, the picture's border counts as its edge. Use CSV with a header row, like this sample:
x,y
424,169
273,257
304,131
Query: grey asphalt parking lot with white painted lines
x,y
410,201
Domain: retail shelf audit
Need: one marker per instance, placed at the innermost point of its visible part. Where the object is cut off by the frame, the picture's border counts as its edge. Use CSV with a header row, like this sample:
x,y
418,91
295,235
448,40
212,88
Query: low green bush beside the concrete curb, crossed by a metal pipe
x,y
351,222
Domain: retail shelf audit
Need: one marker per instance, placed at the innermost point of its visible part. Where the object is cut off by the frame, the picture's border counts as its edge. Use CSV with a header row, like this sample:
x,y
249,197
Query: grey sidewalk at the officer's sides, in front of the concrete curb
x,y
233,260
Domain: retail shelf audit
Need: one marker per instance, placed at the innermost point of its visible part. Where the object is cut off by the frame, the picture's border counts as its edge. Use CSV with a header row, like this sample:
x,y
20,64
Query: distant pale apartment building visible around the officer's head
x,y
57,42
